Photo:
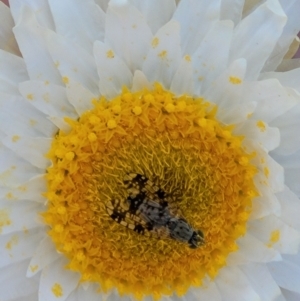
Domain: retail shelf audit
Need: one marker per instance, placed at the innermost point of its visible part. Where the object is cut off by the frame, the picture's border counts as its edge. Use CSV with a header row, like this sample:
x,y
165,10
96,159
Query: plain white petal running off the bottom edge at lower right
x,y
262,282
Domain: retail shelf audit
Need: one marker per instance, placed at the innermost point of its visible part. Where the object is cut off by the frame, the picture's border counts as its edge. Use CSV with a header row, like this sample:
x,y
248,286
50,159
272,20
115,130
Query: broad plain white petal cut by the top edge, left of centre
x,y
81,22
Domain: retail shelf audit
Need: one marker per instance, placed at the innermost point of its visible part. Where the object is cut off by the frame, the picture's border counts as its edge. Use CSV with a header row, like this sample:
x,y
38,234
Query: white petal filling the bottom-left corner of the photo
x,y
14,284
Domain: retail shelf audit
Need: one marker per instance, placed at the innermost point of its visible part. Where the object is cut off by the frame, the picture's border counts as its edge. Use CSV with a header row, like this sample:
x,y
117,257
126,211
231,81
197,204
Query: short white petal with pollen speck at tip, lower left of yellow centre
x,y
45,254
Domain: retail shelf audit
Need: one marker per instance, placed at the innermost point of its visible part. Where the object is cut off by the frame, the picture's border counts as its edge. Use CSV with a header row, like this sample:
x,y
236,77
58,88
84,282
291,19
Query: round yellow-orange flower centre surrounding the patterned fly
x,y
179,145
